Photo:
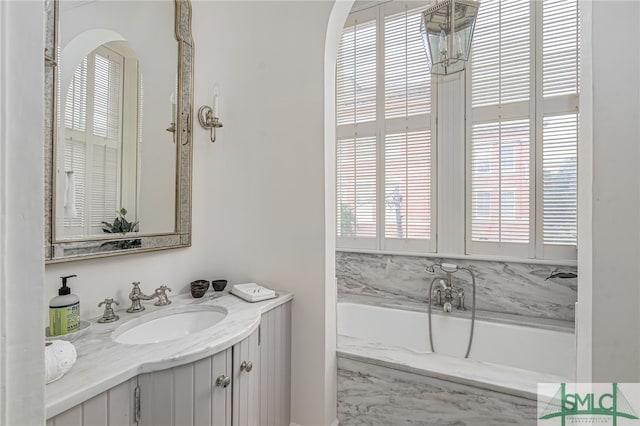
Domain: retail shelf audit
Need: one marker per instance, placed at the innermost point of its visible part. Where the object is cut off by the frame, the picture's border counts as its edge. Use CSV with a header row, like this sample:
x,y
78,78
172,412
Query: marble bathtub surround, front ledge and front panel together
x,y
386,385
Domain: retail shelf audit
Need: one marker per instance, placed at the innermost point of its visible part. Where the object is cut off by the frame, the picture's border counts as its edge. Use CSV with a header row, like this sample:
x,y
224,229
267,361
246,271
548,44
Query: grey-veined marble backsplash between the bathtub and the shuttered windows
x,y
502,287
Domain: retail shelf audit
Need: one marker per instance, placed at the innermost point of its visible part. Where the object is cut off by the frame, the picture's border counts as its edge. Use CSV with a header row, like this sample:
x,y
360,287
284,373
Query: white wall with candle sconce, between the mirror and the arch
x,y
258,193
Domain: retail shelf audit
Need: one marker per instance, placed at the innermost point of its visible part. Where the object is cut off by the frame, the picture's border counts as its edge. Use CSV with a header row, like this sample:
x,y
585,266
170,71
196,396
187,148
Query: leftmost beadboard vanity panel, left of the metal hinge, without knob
x,y
114,407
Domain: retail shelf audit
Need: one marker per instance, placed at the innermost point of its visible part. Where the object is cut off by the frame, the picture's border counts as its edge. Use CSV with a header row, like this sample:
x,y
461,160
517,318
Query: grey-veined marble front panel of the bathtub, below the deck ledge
x,y
375,395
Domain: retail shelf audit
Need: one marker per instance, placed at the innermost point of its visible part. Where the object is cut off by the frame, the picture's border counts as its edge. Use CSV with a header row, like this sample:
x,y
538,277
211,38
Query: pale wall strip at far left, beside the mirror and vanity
x,y
21,207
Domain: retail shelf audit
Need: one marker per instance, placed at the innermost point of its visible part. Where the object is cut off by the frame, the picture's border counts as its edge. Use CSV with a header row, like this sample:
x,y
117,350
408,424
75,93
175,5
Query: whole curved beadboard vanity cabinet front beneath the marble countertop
x,y
258,391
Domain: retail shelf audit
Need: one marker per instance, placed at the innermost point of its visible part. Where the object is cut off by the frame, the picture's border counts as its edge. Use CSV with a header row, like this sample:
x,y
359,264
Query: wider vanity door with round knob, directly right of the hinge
x,y
188,394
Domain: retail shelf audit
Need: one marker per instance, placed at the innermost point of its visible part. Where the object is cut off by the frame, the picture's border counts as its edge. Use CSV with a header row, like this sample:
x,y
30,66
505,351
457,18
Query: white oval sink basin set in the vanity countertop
x,y
168,324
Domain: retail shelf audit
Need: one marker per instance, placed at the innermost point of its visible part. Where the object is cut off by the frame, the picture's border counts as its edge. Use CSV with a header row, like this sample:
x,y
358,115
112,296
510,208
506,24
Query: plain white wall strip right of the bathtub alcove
x,y
616,192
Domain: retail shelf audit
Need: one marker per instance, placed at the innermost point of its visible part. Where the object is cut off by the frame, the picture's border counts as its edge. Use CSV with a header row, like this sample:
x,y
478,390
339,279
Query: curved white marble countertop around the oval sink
x,y
103,364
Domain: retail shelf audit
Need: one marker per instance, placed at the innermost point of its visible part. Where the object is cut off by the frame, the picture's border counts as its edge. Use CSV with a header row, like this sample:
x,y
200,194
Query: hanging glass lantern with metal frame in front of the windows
x,y
447,31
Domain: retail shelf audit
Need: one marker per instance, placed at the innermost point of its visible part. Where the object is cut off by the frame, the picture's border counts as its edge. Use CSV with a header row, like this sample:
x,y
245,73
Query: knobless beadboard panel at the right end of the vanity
x,y
275,366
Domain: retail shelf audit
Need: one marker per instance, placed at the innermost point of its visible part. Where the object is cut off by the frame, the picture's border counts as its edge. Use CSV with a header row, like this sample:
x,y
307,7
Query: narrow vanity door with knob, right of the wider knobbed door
x,y
246,381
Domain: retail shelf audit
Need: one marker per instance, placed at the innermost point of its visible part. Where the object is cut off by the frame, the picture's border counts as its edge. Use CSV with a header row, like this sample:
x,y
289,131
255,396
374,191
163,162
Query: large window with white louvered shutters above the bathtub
x,y
509,151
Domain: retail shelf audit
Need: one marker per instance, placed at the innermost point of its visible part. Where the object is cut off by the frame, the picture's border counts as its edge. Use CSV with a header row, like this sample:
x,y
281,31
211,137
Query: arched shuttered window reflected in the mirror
x,y
92,143
